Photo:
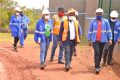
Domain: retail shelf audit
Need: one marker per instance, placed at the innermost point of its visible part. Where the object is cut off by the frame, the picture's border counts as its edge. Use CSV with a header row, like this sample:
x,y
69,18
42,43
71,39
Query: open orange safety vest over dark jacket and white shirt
x,y
65,31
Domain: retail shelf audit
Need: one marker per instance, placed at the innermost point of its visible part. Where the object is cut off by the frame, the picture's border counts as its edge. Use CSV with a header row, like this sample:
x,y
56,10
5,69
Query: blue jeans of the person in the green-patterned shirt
x,y
44,45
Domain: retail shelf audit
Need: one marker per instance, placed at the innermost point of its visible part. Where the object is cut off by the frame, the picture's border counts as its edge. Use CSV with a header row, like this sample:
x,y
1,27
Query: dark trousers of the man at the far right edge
x,y
108,52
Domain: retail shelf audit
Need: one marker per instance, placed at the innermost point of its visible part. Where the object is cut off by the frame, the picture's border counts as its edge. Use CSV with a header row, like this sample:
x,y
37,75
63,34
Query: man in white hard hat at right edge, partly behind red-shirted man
x,y
115,27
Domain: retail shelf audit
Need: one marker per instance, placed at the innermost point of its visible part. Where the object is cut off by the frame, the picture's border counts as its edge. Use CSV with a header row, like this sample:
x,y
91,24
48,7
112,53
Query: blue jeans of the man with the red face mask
x,y
55,43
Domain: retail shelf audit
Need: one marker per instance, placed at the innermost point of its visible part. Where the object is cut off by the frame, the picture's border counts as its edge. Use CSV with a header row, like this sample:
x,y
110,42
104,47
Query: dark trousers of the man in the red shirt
x,y
98,50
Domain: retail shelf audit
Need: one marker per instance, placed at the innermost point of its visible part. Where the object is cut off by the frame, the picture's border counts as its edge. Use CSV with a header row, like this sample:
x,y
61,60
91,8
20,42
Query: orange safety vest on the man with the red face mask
x,y
57,22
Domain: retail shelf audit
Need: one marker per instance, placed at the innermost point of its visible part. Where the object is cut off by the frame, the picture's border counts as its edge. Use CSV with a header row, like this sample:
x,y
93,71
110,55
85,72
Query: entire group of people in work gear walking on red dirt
x,y
65,31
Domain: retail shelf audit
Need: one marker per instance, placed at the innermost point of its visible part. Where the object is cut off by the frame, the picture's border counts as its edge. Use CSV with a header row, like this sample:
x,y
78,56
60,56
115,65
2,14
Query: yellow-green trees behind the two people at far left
x,y
7,9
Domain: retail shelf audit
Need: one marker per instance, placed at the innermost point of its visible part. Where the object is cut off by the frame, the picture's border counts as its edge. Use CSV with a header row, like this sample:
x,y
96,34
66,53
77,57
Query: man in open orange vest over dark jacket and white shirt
x,y
70,36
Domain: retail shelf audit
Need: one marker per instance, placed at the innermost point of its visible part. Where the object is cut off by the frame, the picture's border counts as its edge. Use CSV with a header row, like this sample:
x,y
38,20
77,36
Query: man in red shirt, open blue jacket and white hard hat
x,y
99,33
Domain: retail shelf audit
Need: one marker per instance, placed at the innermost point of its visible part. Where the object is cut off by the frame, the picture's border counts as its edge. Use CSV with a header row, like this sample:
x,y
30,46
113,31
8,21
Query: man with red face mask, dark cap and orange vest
x,y
57,19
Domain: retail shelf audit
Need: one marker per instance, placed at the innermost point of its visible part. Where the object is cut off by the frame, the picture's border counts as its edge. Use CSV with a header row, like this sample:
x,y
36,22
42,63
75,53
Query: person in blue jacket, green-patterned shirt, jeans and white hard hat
x,y
43,35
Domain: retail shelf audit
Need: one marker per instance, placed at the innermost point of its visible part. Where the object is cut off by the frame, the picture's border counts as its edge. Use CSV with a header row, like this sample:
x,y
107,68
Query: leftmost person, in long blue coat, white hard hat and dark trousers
x,y
15,26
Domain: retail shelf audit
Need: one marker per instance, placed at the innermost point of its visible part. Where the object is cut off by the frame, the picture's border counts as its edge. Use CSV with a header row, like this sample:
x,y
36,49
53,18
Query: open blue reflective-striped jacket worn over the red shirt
x,y
106,31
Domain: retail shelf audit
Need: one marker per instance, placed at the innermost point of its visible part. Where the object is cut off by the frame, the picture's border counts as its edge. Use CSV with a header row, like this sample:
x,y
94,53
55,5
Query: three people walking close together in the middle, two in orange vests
x,y
65,31
